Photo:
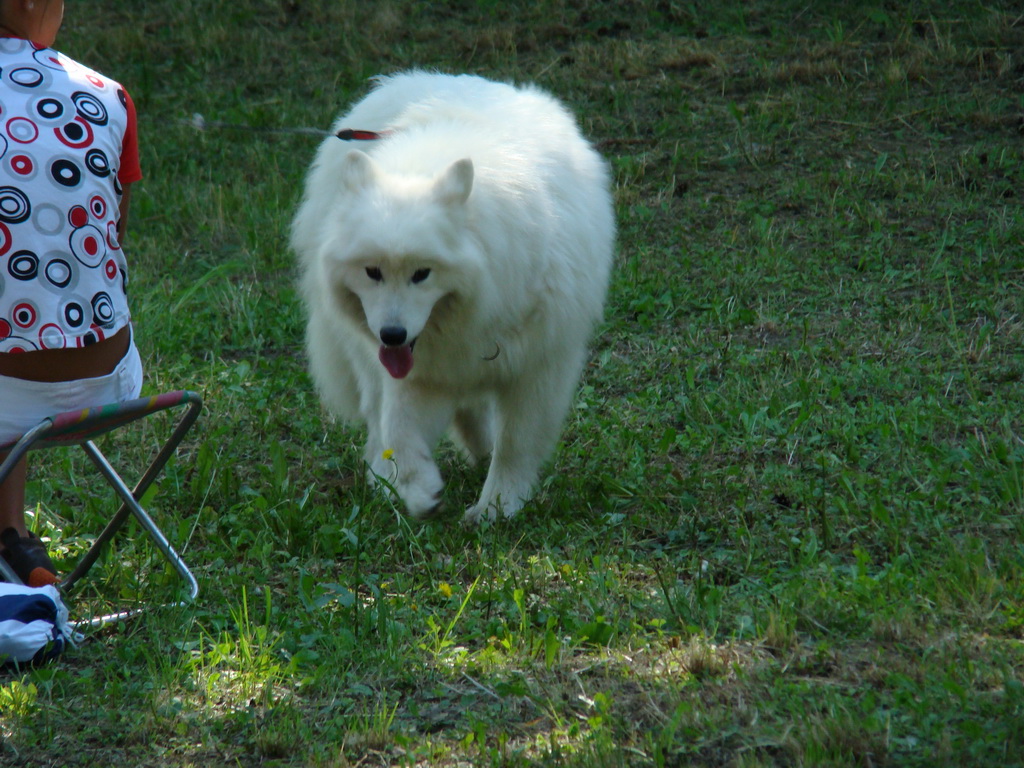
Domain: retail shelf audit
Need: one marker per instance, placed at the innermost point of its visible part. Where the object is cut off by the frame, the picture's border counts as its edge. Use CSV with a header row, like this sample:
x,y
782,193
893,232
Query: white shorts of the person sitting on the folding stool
x,y
25,404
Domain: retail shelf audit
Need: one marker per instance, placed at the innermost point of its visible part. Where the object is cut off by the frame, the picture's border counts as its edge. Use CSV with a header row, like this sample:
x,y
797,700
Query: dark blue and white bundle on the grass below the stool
x,y
33,624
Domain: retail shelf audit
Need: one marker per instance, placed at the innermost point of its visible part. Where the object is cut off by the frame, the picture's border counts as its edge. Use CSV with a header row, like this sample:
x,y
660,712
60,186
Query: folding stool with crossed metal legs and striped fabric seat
x,y
80,429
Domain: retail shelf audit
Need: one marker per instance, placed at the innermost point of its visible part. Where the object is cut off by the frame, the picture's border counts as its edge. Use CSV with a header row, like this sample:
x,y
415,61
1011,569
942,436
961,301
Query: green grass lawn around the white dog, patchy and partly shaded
x,y
784,525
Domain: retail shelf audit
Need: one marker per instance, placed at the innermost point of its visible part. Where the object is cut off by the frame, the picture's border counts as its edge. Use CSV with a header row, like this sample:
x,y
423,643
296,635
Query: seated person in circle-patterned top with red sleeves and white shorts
x,y
69,154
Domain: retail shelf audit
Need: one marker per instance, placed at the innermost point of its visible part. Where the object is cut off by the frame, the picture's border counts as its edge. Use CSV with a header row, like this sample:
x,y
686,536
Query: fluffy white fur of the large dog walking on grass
x,y
493,190
